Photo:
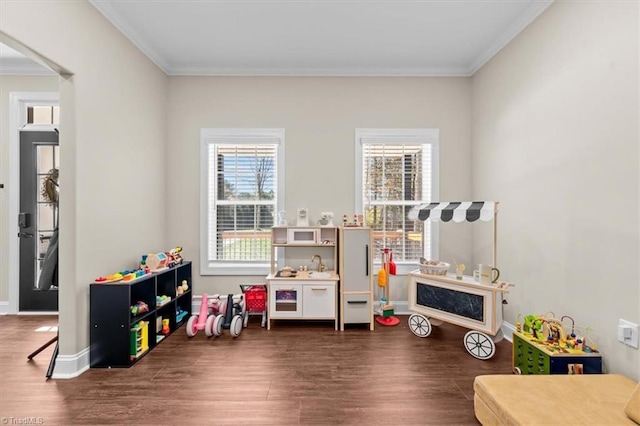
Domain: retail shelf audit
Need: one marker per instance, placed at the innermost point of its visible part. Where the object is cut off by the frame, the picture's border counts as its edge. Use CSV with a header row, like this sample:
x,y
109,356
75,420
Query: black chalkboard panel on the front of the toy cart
x,y
452,301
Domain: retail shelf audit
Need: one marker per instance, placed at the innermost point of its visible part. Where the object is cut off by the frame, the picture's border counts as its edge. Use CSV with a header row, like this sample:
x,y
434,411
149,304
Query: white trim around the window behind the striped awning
x,y
409,137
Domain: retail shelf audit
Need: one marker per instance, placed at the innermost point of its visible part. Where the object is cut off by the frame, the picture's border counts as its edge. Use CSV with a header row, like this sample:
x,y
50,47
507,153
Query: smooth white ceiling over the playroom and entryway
x,y
312,37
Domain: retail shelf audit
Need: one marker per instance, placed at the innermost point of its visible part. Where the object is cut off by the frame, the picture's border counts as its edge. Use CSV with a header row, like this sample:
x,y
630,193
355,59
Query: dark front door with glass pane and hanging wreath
x,y
38,216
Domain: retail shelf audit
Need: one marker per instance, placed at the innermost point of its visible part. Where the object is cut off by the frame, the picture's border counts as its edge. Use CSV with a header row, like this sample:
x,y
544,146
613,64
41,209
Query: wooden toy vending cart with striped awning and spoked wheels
x,y
459,300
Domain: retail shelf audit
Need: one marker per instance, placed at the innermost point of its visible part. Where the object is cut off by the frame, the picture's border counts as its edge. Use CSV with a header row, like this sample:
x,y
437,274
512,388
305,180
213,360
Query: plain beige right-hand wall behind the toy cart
x,y
555,139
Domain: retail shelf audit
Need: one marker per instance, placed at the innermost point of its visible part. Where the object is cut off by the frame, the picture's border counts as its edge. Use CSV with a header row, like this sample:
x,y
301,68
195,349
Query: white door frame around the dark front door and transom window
x,y
18,103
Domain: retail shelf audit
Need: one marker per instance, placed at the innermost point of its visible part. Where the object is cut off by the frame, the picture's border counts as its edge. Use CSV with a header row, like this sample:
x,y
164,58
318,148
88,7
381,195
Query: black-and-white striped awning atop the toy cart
x,y
458,211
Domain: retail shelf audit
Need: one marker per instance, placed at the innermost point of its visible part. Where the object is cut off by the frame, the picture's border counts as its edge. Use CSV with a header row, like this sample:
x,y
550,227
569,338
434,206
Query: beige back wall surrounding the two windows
x,y
319,116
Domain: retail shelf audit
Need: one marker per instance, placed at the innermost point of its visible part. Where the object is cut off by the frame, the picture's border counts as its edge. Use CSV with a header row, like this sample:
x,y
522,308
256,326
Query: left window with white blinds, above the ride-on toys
x,y
241,190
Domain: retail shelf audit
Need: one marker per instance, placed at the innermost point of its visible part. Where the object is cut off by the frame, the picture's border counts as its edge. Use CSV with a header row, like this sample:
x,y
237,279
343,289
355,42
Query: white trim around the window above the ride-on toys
x,y
228,135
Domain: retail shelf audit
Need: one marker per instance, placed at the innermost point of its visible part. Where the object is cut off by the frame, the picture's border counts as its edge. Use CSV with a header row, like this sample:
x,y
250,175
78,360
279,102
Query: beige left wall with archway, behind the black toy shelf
x,y
112,138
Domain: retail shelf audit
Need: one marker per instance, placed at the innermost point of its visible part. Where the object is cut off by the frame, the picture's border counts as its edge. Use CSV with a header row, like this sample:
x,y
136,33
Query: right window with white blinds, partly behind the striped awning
x,y
397,169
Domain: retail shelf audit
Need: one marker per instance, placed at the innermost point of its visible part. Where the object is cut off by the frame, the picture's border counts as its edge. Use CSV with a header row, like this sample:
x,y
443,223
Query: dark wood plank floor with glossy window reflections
x,y
298,373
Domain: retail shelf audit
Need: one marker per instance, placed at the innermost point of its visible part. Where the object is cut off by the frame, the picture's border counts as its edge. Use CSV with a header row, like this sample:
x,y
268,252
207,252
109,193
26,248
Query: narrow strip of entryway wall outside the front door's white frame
x,y
8,84
